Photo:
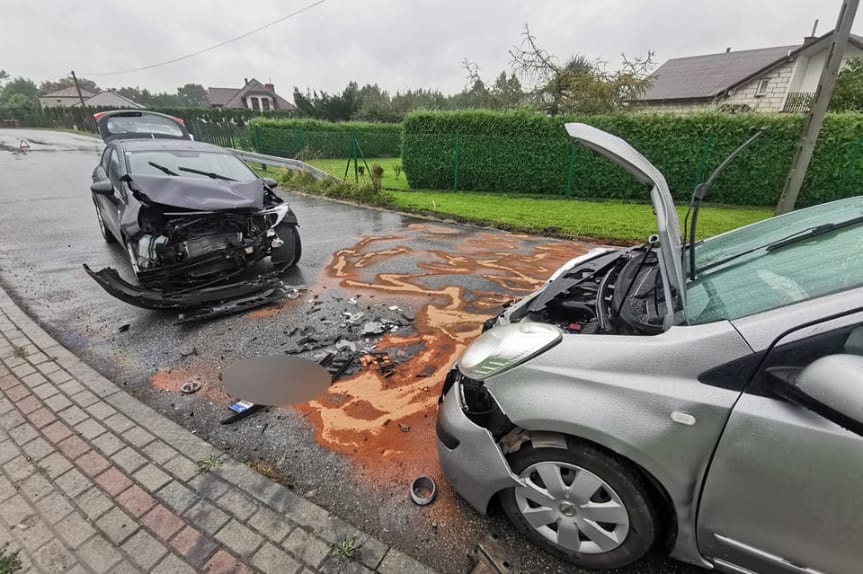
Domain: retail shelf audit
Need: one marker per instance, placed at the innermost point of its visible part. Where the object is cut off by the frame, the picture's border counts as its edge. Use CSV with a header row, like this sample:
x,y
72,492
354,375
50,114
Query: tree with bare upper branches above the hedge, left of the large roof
x,y
579,84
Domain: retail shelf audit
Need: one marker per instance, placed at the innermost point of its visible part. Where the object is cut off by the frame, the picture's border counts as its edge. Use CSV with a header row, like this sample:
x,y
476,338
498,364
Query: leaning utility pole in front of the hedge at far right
x,y
815,117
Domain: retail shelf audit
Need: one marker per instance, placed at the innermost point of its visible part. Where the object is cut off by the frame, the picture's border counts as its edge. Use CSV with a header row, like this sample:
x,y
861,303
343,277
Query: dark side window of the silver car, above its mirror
x,y
796,353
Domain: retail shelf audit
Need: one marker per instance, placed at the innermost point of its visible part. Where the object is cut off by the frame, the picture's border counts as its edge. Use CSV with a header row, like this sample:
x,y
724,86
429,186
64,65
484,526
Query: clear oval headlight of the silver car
x,y
505,347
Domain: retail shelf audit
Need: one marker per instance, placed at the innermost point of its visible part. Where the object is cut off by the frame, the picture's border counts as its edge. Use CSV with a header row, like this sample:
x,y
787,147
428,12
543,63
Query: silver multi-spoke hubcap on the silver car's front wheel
x,y
572,507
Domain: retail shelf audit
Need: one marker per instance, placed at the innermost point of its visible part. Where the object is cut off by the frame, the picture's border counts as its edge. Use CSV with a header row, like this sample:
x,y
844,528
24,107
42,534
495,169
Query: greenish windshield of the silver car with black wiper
x,y
752,269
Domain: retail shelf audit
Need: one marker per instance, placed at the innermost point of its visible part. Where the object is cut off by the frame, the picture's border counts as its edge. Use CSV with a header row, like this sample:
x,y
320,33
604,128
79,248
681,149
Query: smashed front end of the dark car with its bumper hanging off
x,y
200,261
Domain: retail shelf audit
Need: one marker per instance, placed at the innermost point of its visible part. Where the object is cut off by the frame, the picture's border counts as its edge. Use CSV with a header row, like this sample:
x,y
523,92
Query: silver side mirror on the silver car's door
x,y
832,386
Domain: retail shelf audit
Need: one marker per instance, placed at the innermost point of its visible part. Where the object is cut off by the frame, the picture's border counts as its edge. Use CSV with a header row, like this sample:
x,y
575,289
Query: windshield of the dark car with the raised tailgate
x,y
189,164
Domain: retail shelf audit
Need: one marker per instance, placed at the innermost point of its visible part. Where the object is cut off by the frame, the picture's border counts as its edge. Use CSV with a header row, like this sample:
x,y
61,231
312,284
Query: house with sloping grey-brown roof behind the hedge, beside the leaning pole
x,y
778,79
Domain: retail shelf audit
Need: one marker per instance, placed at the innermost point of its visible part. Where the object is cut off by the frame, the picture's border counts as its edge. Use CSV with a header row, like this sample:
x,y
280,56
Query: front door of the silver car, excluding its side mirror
x,y
782,494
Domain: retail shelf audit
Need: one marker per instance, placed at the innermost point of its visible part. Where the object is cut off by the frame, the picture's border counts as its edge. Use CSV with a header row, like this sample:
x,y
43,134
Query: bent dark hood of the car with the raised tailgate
x,y
198,194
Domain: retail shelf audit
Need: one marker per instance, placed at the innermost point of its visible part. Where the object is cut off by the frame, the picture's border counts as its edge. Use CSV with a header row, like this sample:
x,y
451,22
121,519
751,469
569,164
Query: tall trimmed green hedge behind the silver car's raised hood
x,y
531,153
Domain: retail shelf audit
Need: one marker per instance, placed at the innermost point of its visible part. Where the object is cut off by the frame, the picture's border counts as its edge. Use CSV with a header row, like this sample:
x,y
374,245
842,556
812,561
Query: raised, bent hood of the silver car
x,y
668,224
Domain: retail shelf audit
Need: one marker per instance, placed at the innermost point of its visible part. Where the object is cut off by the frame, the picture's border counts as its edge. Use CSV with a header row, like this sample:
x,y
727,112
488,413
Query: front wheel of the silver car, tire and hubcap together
x,y
593,485
